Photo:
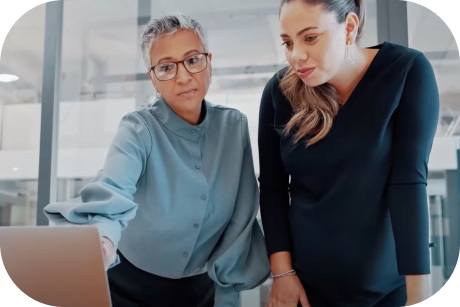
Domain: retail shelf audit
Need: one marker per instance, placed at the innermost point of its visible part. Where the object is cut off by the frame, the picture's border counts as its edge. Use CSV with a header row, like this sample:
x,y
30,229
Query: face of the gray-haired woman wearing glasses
x,y
185,92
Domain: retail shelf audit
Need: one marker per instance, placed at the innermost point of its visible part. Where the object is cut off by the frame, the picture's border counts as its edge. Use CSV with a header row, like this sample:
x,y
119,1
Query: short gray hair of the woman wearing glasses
x,y
167,25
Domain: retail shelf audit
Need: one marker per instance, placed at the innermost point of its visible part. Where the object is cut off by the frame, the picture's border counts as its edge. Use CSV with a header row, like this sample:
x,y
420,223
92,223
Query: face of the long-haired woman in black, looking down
x,y
314,42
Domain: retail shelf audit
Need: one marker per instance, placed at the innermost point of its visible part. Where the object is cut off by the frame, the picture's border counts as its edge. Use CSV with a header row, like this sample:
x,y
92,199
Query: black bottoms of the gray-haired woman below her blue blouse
x,y
132,287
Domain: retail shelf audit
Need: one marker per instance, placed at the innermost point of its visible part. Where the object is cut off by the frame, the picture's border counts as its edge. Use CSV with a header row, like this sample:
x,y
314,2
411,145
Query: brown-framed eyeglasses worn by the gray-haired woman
x,y
193,64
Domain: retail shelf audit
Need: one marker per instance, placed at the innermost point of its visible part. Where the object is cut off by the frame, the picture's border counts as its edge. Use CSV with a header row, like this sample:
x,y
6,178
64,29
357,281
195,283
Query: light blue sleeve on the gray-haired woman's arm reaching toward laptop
x,y
107,200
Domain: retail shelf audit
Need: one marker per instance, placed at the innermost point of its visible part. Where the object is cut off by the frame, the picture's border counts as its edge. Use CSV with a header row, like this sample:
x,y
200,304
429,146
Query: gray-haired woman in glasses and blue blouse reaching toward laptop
x,y
177,196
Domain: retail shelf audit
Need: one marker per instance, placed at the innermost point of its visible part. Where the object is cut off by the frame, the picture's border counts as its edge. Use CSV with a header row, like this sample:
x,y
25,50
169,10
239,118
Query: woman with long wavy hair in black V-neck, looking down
x,y
345,134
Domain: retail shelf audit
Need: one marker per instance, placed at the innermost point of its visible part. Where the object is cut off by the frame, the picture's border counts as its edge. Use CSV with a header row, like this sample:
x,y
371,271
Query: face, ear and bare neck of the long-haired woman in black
x,y
315,46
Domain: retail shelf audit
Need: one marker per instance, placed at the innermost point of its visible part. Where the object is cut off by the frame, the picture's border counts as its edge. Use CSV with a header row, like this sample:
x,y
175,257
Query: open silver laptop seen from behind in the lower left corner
x,y
58,266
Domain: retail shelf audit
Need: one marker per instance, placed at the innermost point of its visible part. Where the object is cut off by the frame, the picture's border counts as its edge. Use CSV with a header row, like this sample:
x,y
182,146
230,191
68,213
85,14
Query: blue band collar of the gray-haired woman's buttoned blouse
x,y
173,122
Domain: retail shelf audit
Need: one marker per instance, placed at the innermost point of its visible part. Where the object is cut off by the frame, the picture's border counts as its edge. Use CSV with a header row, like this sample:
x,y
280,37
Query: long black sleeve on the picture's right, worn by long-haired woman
x,y
414,129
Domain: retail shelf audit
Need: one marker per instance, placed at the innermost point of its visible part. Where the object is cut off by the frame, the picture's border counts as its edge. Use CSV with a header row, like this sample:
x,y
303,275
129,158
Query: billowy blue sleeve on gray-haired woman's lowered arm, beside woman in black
x,y
239,261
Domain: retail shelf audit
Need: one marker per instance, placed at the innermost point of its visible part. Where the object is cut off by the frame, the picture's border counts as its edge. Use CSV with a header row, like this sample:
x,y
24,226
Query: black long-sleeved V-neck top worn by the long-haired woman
x,y
352,208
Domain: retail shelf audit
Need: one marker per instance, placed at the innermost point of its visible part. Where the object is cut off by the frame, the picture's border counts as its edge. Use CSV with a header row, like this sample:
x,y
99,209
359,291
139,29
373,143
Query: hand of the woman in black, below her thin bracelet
x,y
287,291
